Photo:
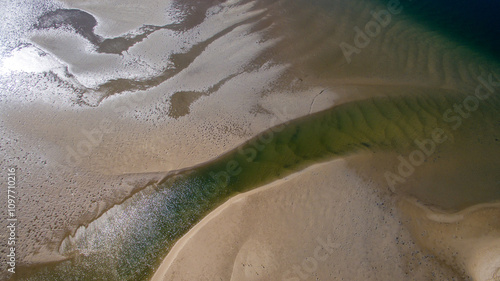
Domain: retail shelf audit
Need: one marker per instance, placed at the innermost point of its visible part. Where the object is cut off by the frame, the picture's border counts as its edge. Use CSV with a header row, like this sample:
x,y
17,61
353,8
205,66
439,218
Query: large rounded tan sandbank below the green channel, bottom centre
x,y
323,223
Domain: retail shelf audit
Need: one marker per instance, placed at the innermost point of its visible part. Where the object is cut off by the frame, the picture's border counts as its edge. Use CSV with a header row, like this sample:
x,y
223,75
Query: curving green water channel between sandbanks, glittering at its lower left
x,y
138,237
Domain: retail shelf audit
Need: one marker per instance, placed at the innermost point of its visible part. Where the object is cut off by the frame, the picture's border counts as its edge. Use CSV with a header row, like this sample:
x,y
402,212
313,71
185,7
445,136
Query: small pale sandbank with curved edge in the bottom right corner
x,y
469,239
